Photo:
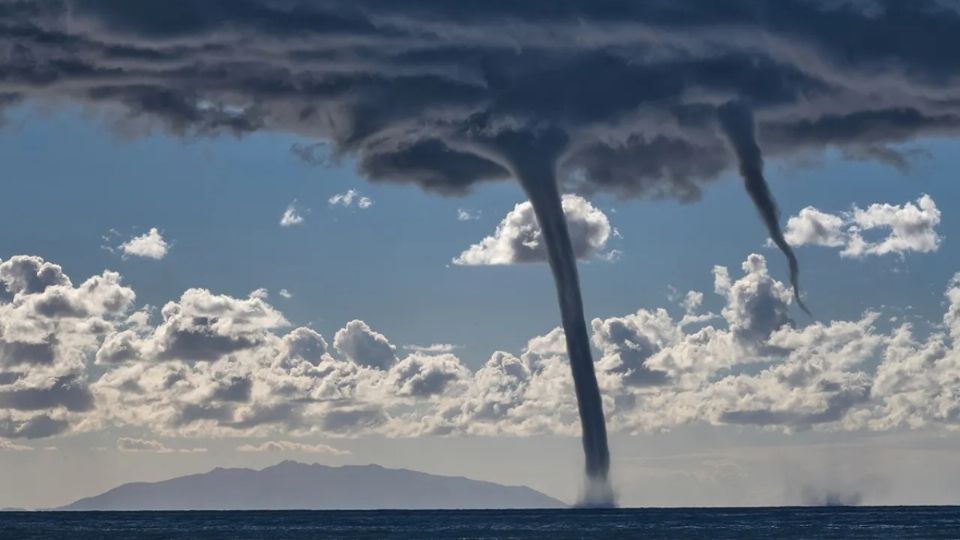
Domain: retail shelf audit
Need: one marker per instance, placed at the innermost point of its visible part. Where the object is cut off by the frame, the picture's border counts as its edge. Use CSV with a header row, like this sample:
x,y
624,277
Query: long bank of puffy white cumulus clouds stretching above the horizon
x,y
216,365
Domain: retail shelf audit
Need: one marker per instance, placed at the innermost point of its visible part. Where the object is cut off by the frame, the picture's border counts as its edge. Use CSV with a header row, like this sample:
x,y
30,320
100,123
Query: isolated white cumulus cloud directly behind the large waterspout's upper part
x,y
518,238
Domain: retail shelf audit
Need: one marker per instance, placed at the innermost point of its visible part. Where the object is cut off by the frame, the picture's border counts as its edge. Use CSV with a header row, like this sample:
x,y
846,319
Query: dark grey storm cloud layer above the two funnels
x,y
408,88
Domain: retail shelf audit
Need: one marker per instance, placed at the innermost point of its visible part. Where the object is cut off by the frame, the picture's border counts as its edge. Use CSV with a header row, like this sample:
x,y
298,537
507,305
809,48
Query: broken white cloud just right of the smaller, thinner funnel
x,y
879,229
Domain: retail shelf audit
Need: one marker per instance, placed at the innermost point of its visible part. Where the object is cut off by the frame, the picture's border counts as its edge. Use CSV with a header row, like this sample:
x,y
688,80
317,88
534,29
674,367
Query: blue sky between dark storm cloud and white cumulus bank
x,y
70,178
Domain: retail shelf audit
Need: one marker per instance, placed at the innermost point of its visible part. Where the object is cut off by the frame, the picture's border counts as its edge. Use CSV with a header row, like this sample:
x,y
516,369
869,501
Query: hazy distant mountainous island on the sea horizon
x,y
298,486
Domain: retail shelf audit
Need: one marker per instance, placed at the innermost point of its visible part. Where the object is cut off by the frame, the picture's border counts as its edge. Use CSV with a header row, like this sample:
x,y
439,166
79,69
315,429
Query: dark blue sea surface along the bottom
x,y
740,523
